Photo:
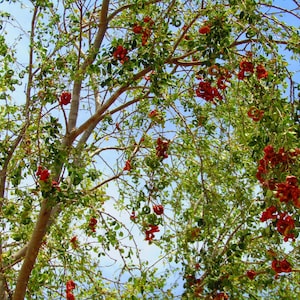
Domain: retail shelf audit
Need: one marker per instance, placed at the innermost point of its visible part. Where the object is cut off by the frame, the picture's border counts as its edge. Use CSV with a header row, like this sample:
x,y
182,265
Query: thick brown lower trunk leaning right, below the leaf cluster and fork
x,y
32,251
